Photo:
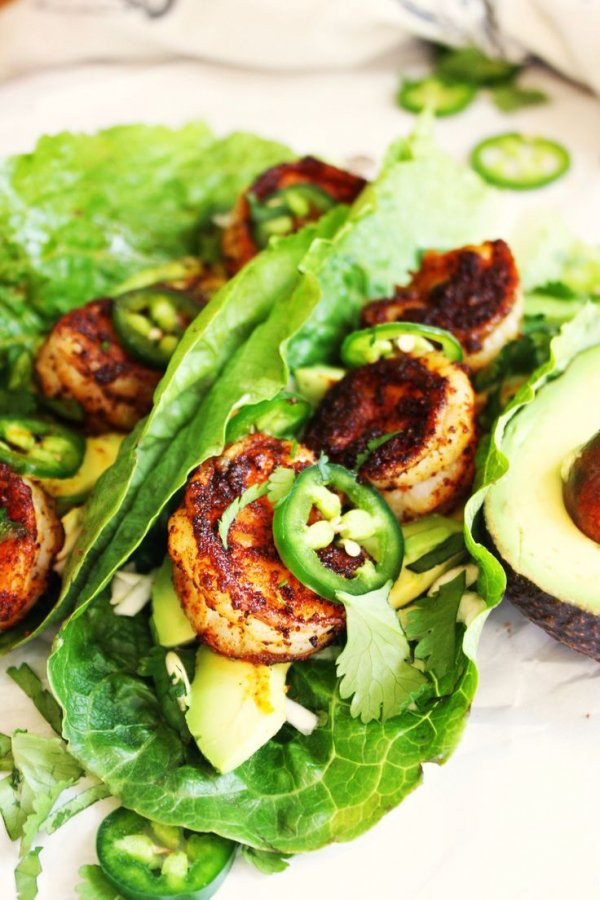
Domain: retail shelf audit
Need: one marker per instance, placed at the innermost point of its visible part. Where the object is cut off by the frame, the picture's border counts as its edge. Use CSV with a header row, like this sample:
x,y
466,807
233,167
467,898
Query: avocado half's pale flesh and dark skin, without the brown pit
x,y
553,568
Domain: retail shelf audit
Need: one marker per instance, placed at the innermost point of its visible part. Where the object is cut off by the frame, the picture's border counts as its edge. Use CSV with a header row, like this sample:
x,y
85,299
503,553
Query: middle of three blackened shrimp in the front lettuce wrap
x,y
426,404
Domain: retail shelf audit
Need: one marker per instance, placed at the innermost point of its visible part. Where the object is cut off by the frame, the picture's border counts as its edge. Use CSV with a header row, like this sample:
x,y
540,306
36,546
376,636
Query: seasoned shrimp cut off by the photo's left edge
x,y
30,536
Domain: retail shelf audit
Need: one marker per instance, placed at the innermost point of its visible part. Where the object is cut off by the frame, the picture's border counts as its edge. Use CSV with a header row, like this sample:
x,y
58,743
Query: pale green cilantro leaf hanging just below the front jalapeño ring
x,y
374,665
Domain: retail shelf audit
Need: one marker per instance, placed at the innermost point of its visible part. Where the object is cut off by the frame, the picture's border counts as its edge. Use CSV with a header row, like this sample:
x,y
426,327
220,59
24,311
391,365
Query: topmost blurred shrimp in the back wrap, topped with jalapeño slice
x,y
241,241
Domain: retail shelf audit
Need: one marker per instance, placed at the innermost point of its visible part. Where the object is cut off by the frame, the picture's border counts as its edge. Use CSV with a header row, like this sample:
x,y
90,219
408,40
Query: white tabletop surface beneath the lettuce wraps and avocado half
x,y
514,814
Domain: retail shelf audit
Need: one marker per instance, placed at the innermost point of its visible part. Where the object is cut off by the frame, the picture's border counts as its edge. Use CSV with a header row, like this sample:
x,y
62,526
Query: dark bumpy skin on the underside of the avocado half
x,y
565,622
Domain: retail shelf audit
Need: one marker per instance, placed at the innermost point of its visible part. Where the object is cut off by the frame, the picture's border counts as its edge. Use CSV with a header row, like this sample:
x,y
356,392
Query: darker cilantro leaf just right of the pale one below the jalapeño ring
x,y
432,622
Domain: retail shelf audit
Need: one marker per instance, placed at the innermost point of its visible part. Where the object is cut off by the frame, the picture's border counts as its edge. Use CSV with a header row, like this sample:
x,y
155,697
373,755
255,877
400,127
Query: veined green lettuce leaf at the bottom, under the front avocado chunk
x,y
295,794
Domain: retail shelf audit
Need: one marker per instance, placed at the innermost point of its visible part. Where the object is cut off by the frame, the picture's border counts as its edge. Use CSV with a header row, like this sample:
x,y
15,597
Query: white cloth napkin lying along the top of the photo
x,y
296,34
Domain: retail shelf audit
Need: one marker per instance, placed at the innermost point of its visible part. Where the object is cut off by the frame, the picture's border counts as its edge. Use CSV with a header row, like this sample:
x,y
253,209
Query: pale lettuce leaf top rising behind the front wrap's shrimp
x,y
421,200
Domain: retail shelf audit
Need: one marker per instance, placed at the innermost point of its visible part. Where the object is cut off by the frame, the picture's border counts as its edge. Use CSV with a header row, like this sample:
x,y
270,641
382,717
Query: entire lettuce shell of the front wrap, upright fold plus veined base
x,y
292,305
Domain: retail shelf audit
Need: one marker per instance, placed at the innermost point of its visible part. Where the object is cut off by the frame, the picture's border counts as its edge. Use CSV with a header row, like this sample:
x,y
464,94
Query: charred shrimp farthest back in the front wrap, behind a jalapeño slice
x,y
472,292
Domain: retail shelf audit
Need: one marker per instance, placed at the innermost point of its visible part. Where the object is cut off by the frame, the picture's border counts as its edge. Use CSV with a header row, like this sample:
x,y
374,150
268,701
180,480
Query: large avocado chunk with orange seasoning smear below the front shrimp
x,y
235,707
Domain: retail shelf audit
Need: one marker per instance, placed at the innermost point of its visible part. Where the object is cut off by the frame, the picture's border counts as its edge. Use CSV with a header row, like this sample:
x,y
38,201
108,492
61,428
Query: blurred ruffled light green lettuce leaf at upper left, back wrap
x,y
82,213
